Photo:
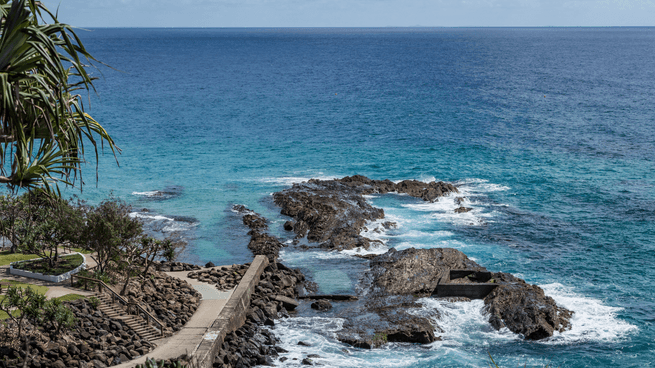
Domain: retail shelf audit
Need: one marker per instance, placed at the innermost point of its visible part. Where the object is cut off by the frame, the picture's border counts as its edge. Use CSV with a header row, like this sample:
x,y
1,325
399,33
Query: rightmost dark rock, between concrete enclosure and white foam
x,y
524,309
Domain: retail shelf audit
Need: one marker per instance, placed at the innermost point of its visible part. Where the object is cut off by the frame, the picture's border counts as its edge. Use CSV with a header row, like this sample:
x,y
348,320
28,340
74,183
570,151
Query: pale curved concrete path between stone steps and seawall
x,y
186,340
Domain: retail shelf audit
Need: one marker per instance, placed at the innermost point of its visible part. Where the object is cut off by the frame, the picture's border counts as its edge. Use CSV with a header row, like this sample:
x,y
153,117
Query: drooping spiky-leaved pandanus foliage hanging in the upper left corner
x,y
43,123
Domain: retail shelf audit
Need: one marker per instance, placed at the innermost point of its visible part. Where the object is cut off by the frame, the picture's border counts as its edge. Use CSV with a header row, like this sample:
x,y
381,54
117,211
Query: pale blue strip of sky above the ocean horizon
x,y
353,13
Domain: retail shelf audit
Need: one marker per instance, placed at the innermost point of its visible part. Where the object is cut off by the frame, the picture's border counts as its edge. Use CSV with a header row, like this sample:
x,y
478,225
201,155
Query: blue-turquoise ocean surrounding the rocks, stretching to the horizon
x,y
549,131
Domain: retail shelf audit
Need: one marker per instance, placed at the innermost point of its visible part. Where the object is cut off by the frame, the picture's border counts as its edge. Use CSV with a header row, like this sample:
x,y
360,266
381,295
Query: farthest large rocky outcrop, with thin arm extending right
x,y
333,213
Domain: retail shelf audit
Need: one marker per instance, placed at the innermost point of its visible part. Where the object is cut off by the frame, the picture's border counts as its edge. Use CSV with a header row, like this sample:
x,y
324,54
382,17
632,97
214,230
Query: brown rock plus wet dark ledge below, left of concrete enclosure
x,y
389,311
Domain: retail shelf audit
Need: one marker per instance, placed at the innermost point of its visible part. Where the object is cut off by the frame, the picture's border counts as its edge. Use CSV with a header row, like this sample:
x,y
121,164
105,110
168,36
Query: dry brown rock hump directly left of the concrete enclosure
x,y
415,271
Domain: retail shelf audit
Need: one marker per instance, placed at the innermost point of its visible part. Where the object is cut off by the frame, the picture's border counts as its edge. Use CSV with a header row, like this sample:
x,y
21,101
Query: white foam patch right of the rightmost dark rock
x,y
592,320
